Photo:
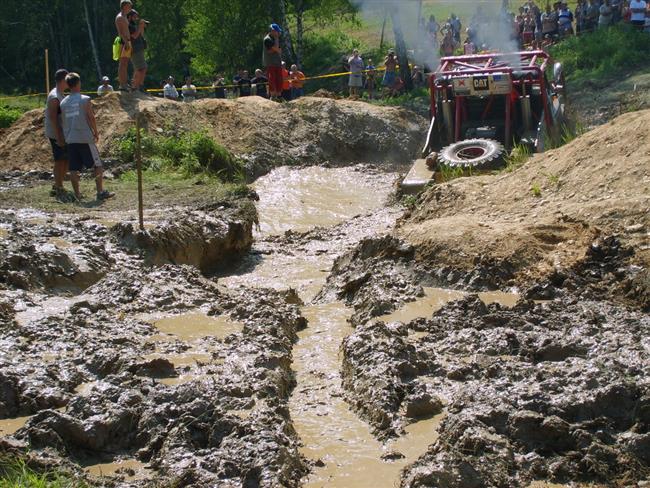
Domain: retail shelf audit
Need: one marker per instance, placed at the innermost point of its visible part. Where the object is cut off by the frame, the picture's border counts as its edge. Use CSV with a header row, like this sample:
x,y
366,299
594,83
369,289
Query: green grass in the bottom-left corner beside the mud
x,y
14,473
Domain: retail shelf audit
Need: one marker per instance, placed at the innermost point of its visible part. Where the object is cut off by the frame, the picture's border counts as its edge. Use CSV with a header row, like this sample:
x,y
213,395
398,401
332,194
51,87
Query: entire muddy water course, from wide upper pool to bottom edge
x,y
343,450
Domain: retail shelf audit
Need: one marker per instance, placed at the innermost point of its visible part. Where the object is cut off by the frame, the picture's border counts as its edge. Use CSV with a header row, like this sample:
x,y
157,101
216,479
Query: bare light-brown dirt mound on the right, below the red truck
x,y
543,216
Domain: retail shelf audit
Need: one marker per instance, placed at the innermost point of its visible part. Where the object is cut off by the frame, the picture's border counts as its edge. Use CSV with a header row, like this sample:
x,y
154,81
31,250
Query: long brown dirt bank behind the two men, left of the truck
x,y
308,130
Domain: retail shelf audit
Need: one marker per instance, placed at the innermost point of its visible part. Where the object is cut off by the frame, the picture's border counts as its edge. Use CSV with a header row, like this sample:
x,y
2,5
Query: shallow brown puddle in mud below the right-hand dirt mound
x,y
435,298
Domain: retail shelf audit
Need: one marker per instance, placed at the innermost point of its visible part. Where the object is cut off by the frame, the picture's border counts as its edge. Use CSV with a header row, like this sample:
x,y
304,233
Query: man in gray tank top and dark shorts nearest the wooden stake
x,y
80,132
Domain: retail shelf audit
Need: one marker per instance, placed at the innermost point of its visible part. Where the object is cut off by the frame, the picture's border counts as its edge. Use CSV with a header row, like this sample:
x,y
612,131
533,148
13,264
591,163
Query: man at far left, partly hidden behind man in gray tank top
x,y
54,132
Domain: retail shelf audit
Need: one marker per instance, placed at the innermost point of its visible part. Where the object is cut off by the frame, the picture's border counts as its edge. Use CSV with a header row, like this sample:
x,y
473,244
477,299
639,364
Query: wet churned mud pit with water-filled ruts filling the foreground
x,y
331,354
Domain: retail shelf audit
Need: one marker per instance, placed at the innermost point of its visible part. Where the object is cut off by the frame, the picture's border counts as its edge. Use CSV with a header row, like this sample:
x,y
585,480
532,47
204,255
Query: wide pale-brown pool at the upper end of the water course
x,y
303,198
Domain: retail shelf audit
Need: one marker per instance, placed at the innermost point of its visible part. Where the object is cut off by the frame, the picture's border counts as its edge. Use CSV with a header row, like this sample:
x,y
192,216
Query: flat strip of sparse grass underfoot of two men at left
x,y
160,189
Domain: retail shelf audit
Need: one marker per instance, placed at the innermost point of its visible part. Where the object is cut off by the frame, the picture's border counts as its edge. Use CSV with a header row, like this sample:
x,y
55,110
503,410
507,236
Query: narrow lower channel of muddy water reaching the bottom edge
x,y
328,429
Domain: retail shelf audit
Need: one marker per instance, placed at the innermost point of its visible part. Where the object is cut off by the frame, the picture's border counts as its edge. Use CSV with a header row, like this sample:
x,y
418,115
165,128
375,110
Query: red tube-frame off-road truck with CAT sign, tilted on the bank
x,y
483,104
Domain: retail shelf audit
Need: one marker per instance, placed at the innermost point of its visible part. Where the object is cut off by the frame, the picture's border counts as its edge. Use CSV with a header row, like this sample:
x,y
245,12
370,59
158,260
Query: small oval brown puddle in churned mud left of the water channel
x,y
195,326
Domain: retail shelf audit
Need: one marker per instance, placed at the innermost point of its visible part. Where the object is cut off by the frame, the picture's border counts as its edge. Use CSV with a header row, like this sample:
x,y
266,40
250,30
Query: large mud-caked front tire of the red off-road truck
x,y
472,153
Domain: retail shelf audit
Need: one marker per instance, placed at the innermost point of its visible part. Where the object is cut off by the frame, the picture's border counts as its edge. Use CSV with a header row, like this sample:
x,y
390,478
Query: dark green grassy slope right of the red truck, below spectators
x,y
602,55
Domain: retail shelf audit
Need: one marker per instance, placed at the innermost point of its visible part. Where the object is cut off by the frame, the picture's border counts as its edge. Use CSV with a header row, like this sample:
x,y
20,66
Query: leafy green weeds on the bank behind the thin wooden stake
x,y
188,154
